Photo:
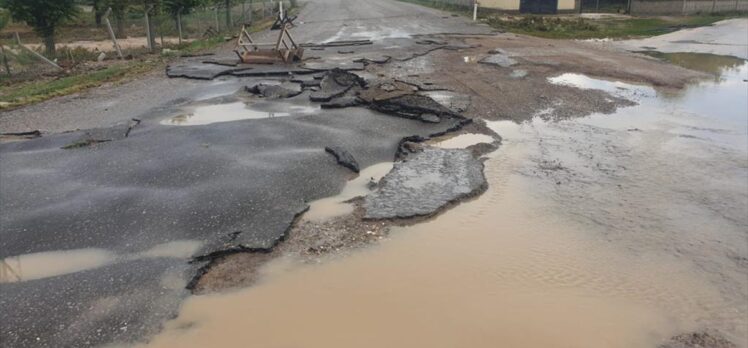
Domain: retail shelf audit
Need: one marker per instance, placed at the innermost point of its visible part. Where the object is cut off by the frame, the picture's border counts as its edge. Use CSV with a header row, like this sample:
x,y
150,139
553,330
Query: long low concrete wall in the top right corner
x,y
660,7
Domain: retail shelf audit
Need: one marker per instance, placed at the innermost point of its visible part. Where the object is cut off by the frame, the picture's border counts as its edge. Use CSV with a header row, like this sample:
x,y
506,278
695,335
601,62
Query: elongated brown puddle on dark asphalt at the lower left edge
x,y
47,264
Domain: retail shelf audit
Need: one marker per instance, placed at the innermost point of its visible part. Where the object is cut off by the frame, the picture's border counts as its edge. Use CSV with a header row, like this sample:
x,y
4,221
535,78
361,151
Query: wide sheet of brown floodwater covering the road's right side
x,y
606,231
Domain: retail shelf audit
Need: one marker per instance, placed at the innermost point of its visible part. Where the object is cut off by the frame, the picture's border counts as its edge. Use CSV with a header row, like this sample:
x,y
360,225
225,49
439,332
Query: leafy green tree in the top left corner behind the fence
x,y
44,16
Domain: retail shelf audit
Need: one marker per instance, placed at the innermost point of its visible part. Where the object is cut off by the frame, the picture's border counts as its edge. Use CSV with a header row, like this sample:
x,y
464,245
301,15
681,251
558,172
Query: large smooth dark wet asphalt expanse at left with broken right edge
x,y
232,185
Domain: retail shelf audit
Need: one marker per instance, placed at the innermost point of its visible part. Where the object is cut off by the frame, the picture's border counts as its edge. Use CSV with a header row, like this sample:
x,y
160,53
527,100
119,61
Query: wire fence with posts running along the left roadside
x,y
83,40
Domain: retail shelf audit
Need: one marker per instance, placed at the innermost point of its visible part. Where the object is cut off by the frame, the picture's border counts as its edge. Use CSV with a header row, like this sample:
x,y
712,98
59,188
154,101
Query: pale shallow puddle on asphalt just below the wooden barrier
x,y
237,111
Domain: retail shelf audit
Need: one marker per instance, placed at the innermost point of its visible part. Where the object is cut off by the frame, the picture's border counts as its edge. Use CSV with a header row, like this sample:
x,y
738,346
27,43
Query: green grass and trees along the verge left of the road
x,y
26,79
